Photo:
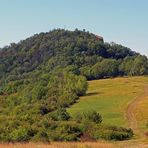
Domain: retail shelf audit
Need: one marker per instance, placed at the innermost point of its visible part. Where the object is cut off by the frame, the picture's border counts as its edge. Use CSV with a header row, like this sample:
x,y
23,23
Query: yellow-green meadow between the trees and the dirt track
x,y
110,98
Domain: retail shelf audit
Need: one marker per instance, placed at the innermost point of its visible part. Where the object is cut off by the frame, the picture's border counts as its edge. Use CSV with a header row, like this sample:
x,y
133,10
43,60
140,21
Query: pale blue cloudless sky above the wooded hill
x,y
122,21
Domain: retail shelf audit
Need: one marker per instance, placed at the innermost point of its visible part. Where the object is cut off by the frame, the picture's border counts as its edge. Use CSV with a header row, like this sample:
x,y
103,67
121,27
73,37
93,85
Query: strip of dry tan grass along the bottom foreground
x,y
99,144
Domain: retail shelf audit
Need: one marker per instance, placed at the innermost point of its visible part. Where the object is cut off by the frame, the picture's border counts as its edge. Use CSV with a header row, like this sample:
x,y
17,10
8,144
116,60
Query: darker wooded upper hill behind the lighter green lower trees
x,y
81,51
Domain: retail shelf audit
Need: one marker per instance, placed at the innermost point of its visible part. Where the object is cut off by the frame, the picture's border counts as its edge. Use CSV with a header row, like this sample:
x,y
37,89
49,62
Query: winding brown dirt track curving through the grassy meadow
x,y
131,116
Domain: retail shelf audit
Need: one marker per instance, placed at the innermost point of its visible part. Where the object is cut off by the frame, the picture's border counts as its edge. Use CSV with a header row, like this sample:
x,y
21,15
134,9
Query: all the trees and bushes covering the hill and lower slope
x,y
43,75
